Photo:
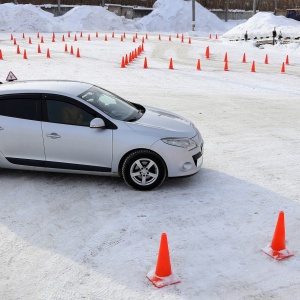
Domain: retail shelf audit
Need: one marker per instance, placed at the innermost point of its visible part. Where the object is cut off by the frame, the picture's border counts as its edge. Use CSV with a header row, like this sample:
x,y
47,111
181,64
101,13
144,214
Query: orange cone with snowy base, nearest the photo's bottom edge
x,y
162,275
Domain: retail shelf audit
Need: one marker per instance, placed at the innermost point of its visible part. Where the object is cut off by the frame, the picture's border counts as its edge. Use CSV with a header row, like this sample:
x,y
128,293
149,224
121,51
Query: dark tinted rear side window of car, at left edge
x,y
19,108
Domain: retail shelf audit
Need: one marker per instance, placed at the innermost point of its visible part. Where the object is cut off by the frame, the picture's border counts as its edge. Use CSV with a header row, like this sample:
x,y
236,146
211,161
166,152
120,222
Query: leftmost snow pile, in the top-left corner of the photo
x,y
25,18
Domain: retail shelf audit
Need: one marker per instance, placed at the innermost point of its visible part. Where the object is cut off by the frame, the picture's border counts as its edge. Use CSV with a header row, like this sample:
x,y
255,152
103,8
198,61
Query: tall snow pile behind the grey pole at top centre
x,y
176,15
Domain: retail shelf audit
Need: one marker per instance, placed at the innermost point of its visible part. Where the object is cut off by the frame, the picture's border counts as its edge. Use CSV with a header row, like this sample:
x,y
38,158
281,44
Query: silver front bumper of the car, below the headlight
x,y
179,161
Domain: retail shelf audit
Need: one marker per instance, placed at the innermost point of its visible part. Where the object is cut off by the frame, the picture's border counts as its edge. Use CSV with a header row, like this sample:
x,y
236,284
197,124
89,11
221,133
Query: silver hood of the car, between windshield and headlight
x,y
163,123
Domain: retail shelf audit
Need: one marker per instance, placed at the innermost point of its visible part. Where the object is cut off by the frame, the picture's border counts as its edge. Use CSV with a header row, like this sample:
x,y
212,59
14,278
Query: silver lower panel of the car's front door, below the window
x,y
72,147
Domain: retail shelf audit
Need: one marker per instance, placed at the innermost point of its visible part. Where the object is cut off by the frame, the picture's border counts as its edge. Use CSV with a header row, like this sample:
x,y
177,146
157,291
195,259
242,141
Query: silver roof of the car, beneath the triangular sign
x,y
67,87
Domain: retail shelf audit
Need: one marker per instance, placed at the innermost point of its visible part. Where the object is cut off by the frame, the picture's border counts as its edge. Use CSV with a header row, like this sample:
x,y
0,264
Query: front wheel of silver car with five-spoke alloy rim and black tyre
x,y
144,170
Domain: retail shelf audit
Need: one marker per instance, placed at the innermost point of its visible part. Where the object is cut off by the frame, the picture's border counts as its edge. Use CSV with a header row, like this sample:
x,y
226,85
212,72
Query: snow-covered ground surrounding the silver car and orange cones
x,y
87,237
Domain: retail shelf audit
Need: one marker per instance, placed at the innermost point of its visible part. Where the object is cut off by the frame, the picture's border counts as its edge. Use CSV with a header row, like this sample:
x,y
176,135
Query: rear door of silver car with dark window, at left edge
x,y
21,140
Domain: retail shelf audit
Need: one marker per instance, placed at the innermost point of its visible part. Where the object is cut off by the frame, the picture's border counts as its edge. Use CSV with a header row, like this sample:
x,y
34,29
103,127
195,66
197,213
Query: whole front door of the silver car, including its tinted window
x,y
69,141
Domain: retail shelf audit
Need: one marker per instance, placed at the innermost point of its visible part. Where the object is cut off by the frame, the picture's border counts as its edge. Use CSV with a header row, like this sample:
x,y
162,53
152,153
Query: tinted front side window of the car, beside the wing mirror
x,y
66,113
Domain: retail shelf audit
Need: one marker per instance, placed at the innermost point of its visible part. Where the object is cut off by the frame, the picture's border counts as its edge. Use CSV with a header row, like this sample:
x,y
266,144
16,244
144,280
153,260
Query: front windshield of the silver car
x,y
111,104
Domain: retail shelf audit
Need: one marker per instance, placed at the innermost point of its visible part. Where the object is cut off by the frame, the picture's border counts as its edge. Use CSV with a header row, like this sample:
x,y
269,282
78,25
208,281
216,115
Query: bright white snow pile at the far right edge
x,y
262,24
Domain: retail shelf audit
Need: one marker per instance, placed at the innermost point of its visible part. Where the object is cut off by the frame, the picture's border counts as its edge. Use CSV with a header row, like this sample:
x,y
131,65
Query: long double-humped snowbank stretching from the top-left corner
x,y
29,18
